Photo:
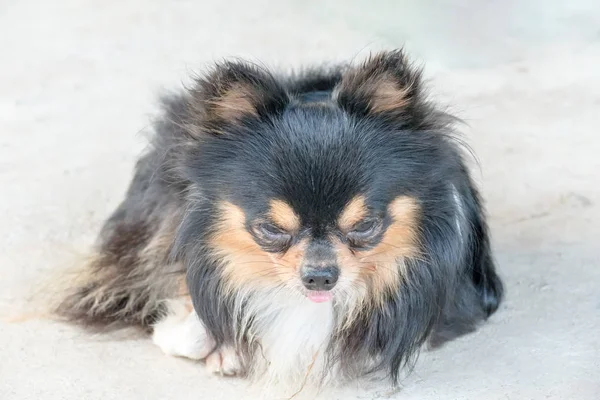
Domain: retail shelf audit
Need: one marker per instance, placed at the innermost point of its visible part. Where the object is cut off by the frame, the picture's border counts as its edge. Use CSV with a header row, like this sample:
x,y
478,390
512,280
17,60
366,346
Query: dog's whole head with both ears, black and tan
x,y
325,196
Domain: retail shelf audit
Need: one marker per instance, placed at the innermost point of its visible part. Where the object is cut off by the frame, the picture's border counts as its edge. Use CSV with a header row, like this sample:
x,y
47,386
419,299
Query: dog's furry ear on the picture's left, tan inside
x,y
236,91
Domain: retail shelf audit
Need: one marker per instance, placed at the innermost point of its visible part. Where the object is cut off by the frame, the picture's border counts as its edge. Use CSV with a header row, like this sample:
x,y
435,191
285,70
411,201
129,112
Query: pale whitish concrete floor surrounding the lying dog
x,y
77,89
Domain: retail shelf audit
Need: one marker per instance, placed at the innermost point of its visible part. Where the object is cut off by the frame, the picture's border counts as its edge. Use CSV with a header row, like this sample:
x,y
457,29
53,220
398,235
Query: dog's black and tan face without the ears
x,y
314,204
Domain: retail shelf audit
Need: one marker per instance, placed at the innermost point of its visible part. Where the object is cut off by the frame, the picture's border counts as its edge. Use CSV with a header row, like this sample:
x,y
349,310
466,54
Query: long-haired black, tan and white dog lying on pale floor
x,y
318,225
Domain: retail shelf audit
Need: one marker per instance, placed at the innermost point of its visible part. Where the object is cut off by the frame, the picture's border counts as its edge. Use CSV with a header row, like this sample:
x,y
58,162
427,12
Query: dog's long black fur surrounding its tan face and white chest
x,y
315,141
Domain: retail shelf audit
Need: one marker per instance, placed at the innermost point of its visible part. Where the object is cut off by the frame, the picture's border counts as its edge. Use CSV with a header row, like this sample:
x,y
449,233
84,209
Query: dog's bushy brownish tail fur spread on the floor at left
x,y
128,280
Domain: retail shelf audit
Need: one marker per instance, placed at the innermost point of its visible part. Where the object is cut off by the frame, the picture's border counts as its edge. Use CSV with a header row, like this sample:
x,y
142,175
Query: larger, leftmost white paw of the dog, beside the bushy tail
x,y
181,333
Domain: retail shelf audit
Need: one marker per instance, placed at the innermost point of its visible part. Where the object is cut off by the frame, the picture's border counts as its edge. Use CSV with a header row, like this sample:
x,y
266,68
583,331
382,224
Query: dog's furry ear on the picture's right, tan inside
x,y
385,85
